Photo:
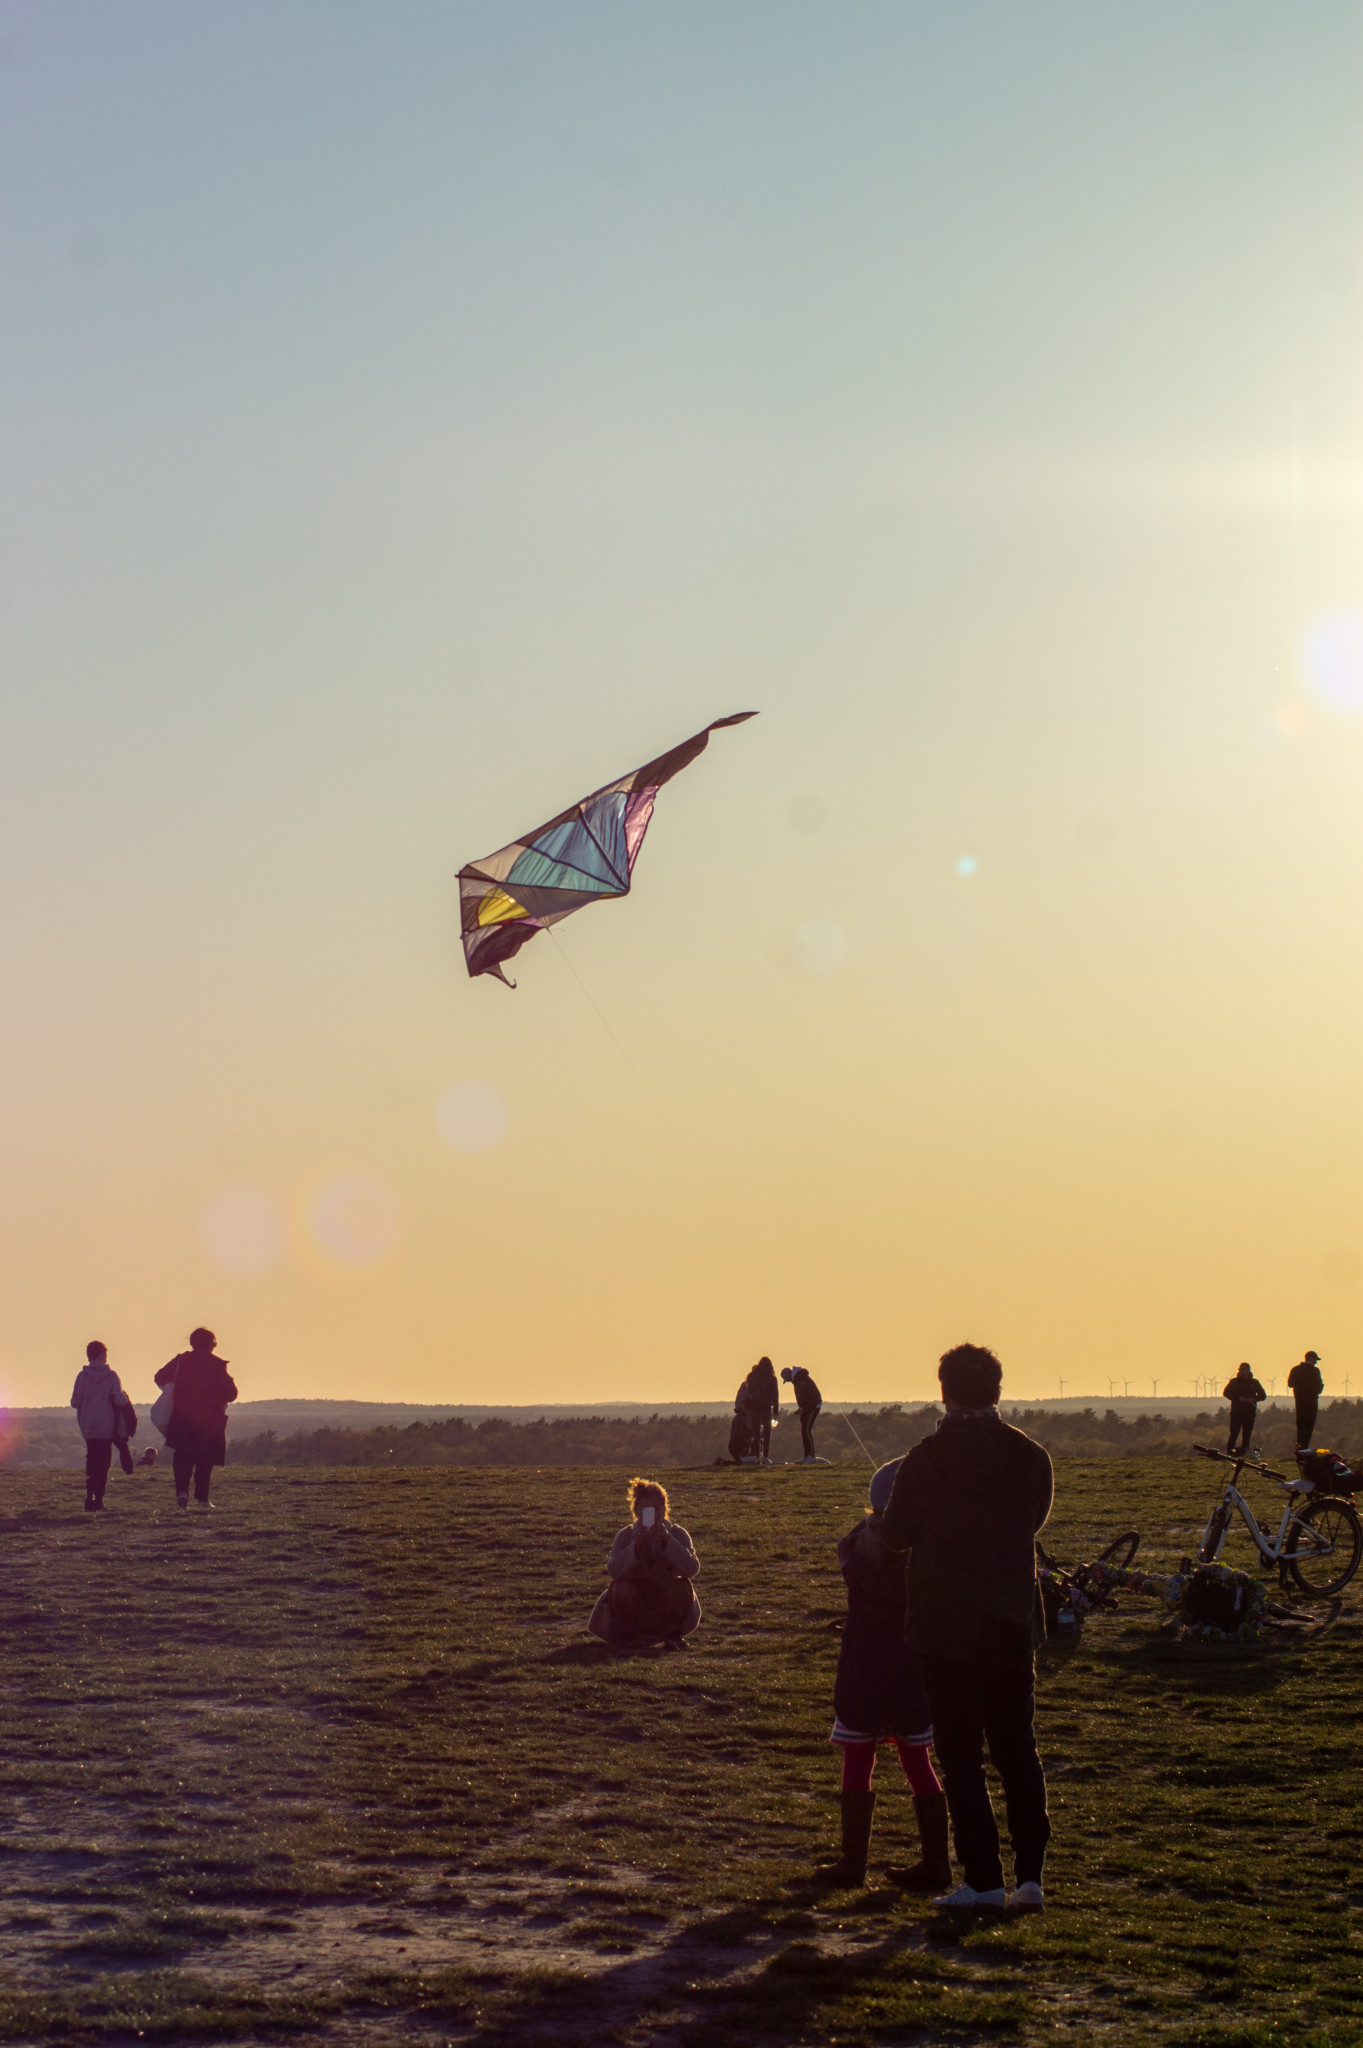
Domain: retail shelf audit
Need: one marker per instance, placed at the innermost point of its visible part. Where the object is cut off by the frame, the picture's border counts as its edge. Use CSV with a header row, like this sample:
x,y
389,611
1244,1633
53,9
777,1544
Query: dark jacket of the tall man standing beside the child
x,y
967,1506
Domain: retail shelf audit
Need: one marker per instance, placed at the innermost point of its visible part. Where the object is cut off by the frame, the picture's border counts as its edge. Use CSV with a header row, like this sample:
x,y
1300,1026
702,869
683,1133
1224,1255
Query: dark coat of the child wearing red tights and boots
x,y
879,1689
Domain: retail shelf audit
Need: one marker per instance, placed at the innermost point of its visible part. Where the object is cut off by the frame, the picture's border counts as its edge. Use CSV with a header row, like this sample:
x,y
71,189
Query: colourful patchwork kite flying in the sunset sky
x,y
580,857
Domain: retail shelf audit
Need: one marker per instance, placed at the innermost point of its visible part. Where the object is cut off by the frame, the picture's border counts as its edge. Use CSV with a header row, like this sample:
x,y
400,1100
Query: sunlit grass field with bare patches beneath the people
x,y
341,1764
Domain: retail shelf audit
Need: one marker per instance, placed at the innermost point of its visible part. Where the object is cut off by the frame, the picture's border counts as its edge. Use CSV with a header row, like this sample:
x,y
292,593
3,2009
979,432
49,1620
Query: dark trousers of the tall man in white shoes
x,y
975,1705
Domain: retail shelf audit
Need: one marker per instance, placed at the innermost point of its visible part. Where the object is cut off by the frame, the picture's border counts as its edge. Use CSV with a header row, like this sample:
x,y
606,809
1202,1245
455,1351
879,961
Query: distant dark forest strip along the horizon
x,y
693,1441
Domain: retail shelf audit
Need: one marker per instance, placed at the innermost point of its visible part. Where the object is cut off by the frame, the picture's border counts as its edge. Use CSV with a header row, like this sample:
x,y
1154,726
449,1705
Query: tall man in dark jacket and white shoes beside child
x,y
967,1508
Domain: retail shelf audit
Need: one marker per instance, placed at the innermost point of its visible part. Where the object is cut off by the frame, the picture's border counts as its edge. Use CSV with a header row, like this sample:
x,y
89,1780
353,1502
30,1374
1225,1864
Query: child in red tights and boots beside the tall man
x,y
879,1697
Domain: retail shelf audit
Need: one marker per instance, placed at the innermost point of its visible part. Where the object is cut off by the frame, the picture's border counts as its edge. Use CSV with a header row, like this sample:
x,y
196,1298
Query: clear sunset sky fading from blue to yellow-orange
x,y
414,417
